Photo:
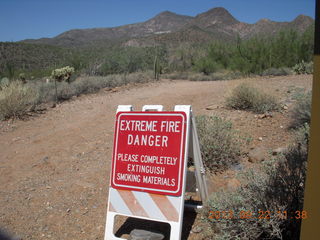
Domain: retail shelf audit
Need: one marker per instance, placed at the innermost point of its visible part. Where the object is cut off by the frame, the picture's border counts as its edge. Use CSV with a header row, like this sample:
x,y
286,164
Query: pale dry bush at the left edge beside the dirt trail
x,y
16,99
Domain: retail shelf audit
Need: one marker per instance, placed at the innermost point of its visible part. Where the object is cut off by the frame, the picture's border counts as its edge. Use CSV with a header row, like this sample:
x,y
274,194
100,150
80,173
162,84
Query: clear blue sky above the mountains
x,y
25,19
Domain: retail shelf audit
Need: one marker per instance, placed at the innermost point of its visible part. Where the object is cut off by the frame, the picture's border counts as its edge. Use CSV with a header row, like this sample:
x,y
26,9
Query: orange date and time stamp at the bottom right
x,y
260,214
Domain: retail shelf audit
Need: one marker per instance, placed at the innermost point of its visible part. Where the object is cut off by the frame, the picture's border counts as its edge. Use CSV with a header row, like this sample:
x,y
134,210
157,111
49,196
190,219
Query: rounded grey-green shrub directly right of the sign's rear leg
x,y
219,143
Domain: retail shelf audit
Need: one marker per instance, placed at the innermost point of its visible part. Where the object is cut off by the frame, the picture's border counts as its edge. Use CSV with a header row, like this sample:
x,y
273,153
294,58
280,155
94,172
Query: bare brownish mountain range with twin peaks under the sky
x,y
169,27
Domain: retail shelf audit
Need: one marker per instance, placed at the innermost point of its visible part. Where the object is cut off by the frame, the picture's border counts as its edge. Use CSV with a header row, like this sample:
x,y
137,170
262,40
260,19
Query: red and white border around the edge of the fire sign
x,y
178,192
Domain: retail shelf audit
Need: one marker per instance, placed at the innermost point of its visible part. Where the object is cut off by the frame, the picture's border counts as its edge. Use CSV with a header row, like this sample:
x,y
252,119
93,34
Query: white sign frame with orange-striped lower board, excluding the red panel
x,y
156,207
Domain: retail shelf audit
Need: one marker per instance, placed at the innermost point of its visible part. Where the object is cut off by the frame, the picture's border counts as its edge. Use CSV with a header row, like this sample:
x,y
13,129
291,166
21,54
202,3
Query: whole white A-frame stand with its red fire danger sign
x,y
149,166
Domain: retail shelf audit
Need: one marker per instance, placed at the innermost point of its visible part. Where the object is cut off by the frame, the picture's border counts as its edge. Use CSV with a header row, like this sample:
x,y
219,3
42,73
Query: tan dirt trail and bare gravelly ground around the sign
x,y
54,167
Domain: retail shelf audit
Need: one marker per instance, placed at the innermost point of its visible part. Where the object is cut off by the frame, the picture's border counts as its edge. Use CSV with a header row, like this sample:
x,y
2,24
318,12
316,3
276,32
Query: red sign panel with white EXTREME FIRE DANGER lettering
x,y
149,152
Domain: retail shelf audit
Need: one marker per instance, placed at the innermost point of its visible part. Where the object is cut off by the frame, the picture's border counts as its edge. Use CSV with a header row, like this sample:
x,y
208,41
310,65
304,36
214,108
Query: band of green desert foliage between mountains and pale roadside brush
x,y
254,55
